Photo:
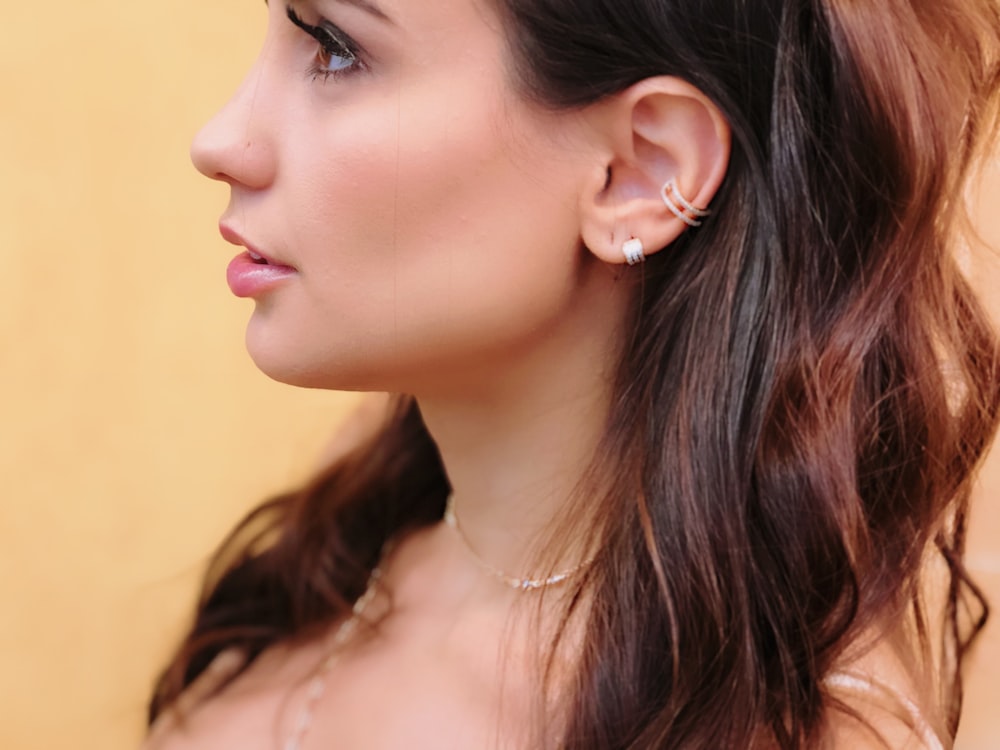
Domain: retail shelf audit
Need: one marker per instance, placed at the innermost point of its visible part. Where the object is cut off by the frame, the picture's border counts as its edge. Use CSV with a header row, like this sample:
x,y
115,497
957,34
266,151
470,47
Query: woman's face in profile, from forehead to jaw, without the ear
x,y
420,218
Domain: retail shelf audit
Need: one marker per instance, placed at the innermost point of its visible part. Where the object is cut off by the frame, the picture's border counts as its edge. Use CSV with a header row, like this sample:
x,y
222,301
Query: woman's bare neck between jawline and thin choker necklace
x,y
516,451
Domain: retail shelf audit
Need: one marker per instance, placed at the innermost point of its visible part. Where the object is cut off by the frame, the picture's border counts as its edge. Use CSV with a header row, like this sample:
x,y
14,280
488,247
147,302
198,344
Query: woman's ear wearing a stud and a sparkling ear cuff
x,y
658,131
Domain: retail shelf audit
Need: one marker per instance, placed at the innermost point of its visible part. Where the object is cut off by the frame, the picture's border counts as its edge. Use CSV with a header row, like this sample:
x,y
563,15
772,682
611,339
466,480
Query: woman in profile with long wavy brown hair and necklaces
x,y
700,388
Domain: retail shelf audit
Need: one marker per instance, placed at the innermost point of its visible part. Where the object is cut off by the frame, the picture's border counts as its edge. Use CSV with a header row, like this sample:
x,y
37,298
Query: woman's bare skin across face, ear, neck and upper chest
x,y
453,241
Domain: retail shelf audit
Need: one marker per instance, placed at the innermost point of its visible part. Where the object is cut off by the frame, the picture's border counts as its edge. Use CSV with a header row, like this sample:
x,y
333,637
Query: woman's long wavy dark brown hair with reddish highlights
x,y
798,416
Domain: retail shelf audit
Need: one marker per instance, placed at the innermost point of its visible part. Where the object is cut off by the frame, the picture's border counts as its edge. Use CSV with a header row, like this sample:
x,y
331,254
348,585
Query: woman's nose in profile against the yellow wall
x,y
236,145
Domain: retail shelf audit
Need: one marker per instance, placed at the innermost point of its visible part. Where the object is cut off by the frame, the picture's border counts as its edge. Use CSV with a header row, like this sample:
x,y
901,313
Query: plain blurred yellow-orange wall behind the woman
x,y
134,430
